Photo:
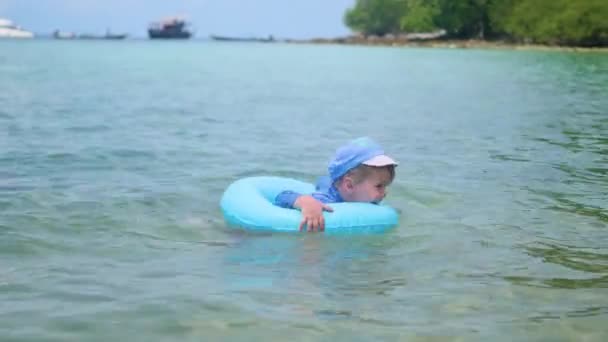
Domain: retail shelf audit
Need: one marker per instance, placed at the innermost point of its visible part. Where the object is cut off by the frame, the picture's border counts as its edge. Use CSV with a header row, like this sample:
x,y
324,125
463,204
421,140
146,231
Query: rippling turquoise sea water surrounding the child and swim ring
x,y
114,155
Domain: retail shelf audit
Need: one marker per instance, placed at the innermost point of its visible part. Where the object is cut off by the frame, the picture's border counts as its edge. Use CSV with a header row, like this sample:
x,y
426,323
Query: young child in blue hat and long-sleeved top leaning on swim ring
x,y
359,172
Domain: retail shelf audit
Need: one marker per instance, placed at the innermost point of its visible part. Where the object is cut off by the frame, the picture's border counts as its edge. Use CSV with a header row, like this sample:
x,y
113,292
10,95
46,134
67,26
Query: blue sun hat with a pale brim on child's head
x,y
362,150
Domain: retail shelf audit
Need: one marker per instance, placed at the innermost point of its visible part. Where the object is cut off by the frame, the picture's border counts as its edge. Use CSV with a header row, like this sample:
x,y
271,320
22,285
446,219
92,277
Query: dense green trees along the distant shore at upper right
x,y
554,22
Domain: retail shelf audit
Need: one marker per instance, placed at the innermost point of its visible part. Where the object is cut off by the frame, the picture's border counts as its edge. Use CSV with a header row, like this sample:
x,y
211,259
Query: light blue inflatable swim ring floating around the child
x,y
249,203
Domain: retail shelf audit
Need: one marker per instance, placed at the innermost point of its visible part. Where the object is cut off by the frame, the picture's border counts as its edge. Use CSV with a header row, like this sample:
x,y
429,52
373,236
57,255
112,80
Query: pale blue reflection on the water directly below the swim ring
x,y
308,276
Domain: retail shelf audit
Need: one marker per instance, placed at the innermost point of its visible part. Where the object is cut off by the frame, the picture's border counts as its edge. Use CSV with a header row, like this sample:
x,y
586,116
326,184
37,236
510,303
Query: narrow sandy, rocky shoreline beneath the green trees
x,y
444,44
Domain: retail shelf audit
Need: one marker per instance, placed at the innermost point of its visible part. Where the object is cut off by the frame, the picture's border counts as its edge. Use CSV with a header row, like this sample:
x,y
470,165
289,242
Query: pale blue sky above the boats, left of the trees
x,y
281,18
